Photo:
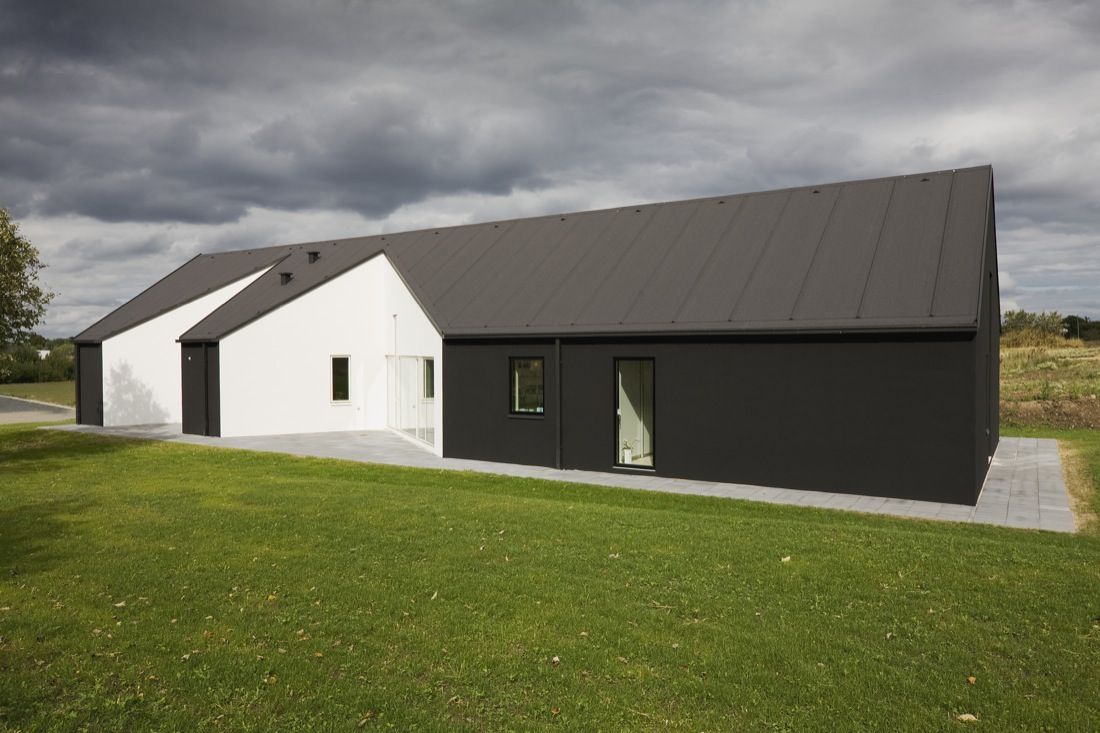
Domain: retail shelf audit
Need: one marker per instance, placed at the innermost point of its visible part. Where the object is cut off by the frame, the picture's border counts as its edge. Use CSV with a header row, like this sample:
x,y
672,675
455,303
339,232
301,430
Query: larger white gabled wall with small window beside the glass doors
x,y
276,373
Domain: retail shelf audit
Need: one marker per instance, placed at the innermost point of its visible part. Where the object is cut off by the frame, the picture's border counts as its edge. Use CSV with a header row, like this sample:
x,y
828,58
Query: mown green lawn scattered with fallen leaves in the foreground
x,y
162,587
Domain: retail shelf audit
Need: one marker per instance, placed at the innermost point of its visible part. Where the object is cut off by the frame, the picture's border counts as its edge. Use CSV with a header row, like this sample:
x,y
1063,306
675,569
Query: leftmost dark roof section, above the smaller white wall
x,y
199,277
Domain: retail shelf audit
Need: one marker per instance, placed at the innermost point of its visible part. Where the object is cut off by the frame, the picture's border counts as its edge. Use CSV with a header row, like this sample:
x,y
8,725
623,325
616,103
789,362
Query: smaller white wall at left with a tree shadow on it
x,y
142,367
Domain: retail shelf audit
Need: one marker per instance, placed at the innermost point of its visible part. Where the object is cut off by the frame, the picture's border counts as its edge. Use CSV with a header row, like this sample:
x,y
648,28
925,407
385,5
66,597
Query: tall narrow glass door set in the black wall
x,y
634,412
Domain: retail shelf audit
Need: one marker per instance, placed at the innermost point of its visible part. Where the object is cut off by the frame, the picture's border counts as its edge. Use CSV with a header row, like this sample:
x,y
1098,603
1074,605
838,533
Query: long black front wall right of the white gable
x,y
890,418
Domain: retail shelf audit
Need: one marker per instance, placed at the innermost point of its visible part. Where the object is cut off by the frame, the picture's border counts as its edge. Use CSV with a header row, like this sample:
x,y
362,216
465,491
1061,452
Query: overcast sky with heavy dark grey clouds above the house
x,y
135,135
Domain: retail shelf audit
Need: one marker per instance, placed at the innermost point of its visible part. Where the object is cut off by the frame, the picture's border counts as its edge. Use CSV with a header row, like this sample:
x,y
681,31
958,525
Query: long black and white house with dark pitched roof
x,y
841,337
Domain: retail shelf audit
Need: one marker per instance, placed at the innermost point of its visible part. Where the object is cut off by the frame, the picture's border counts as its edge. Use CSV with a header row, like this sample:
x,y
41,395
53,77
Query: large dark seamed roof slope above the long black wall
x,y
899,254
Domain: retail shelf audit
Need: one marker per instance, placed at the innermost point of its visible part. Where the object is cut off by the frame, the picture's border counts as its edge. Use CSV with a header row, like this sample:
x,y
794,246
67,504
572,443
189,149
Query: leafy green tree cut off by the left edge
x,y
23,300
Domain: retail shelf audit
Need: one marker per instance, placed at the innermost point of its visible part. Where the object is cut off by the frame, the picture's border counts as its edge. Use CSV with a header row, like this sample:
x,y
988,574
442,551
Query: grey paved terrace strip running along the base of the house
x,y
1025,488
